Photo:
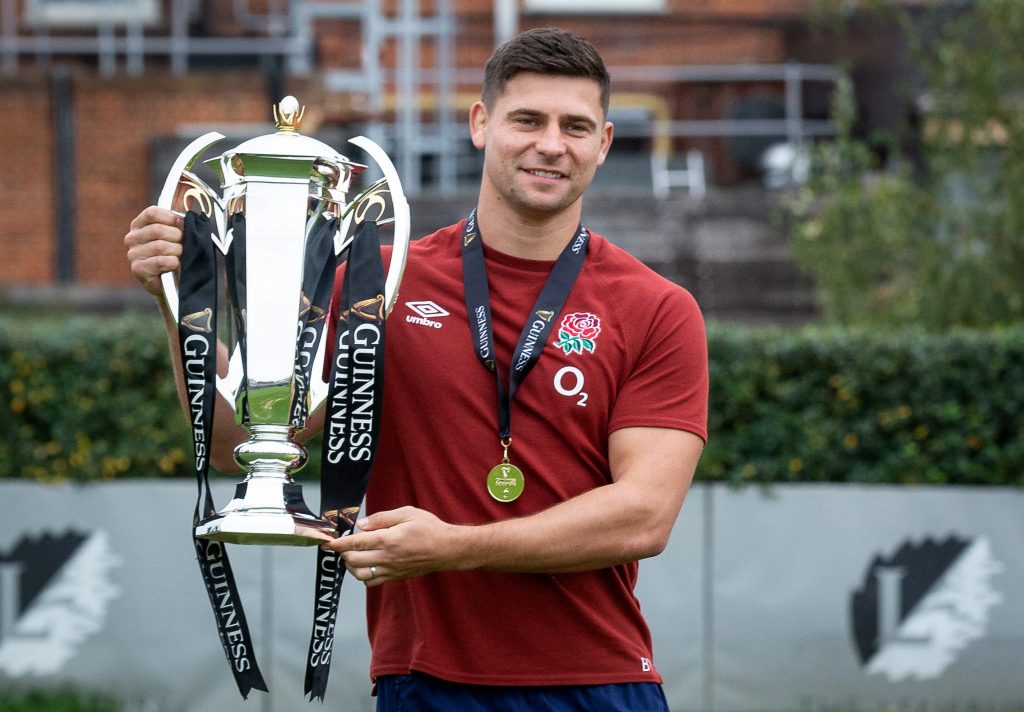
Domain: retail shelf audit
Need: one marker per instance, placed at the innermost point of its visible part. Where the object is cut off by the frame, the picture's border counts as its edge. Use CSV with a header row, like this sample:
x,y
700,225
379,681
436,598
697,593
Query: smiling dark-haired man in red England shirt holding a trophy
x,y
507,514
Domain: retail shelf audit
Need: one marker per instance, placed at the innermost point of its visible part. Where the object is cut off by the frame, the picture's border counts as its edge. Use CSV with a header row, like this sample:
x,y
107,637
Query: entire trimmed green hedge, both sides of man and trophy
x,y
93,399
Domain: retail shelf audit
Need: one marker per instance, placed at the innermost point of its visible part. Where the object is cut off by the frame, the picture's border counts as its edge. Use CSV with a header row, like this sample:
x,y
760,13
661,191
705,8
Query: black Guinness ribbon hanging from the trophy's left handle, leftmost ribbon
x,y
198,346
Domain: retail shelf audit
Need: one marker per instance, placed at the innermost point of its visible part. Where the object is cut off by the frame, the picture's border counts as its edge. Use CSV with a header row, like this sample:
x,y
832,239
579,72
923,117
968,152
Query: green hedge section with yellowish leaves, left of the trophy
x,y
89,399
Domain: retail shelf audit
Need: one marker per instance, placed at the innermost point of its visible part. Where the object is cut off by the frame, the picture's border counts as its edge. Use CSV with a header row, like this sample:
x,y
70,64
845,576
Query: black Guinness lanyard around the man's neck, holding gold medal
x,y
539,325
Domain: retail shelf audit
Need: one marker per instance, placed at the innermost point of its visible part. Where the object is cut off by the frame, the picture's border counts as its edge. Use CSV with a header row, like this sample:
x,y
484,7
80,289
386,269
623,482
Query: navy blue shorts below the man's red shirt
x,y
419,693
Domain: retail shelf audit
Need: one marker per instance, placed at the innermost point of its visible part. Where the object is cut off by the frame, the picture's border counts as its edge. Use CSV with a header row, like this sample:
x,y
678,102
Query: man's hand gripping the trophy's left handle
x,y
154,245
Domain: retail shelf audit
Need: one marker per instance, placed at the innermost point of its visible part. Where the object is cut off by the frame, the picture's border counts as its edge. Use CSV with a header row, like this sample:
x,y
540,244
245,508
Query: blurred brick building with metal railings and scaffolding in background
x,y
104,101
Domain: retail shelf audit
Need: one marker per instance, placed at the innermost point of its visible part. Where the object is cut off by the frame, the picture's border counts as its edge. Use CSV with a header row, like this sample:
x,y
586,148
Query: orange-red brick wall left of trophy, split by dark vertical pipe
x,y
116,121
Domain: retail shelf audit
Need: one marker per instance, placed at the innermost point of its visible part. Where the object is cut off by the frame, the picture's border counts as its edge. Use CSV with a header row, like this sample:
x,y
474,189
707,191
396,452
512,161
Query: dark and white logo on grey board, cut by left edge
x,y
55,594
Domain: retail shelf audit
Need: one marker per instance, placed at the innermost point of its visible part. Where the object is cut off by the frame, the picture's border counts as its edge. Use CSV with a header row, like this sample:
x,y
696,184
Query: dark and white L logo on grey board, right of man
x,y
921,607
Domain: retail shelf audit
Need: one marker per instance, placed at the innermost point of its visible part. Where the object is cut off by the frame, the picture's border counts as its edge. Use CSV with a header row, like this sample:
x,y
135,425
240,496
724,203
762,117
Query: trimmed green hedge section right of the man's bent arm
x,y
833,406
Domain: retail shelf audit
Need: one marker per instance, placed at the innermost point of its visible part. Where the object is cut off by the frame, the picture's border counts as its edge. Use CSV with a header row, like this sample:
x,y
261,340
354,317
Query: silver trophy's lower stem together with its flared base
x,y
268,508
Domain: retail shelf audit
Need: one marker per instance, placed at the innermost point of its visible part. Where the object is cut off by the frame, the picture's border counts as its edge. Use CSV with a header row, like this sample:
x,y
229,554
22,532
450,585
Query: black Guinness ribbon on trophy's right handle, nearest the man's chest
x,y
352,427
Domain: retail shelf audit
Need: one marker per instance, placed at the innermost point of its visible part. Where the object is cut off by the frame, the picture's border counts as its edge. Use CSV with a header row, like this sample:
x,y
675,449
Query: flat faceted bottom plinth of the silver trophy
x,y
269,528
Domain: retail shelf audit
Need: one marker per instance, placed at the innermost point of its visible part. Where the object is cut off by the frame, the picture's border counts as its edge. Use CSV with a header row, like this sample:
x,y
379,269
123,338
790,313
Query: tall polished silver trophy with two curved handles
x,y
283,184
